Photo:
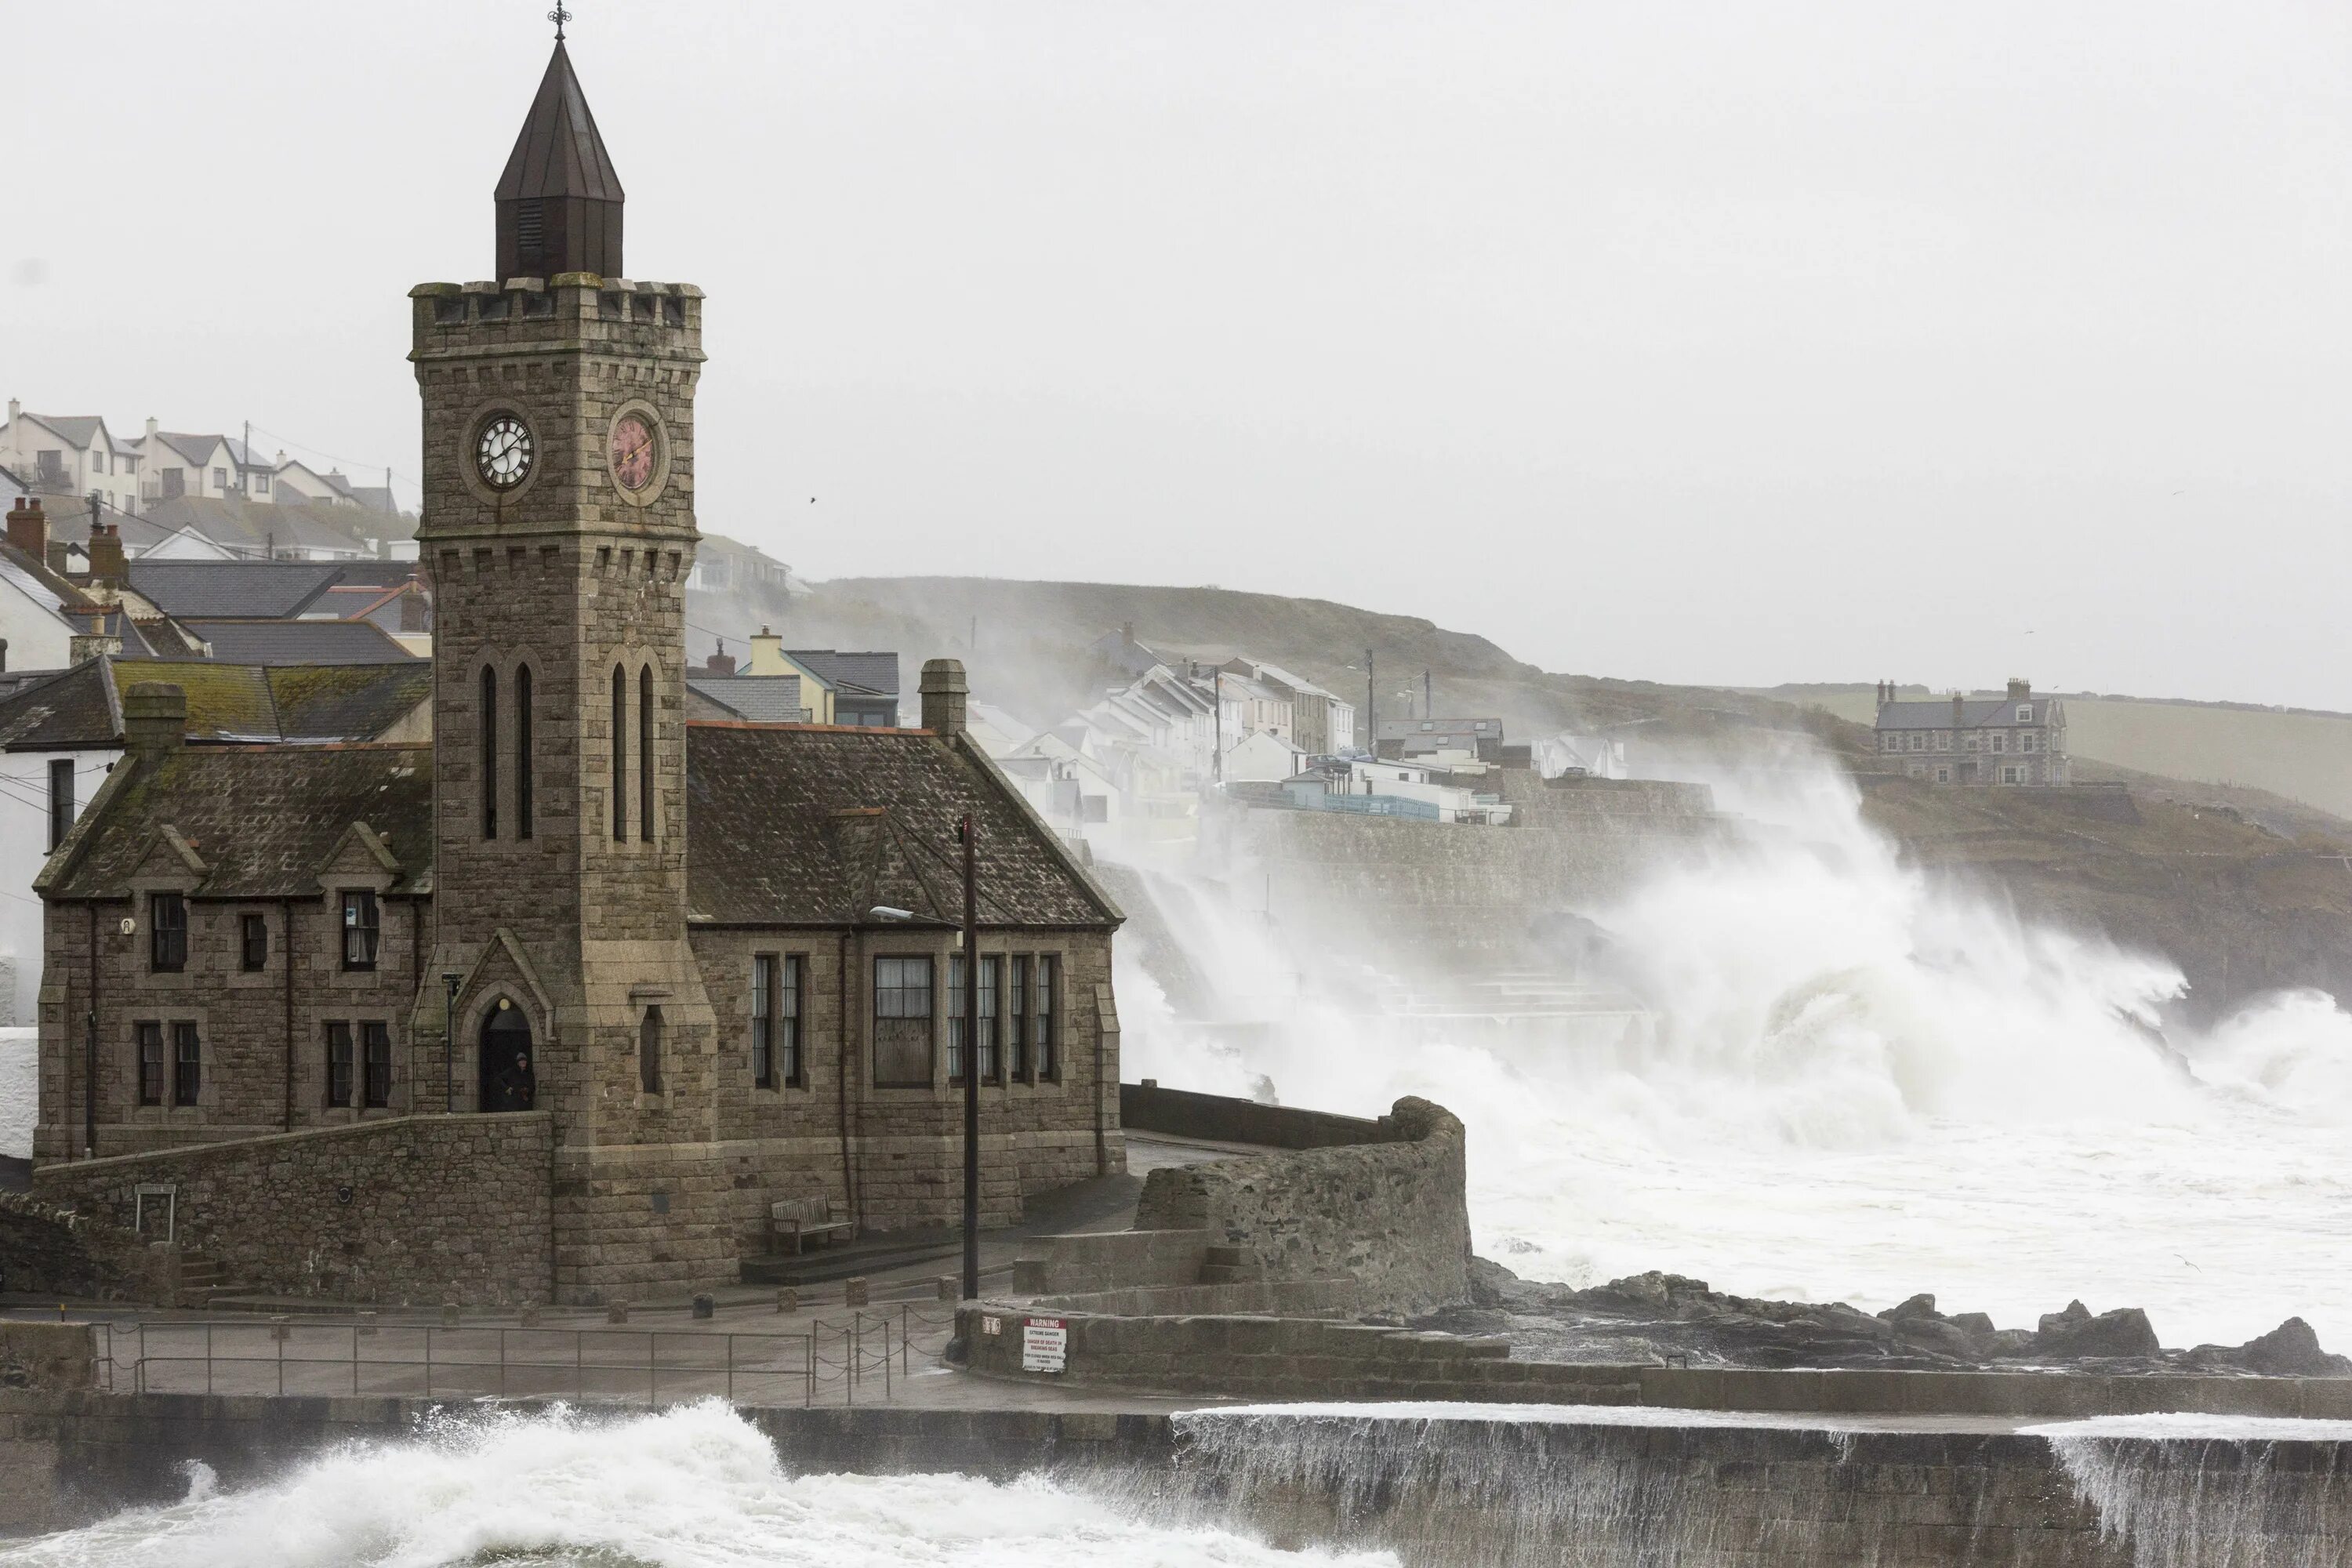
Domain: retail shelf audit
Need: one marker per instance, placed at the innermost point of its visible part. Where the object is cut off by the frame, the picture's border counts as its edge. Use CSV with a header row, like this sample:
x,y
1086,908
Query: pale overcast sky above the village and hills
x,y
1655,340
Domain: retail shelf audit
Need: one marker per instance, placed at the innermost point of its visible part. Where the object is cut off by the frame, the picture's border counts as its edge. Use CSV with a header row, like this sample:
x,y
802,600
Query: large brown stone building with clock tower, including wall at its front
x,y
711,963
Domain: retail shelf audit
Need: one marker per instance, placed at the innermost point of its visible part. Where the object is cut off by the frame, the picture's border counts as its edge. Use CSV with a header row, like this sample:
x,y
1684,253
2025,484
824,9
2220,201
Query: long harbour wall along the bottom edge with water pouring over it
x,y
1438,1485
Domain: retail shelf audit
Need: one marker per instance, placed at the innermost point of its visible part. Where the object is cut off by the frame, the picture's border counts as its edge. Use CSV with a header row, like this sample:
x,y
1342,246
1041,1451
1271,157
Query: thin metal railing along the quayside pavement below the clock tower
x,y
820,1365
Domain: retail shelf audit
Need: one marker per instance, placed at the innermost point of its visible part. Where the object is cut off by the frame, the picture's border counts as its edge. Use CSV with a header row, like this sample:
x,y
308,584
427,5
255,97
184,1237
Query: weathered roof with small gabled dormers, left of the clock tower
x,y
262,819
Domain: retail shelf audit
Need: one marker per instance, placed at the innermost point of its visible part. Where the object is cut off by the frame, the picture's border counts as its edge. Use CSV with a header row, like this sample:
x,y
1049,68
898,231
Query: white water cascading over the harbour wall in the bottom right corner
x,y
2203,1492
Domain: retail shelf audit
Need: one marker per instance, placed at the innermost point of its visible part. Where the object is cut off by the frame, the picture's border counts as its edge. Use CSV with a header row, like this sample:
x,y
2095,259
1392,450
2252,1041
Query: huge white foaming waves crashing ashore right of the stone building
x,y
1855,1080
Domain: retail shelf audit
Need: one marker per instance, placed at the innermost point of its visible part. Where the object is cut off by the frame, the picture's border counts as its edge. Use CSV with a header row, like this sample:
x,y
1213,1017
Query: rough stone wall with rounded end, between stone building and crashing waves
x,y
1391,1214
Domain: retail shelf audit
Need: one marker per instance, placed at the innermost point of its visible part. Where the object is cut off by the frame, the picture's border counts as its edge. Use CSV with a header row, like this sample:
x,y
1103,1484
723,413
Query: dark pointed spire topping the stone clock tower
x,y
559,201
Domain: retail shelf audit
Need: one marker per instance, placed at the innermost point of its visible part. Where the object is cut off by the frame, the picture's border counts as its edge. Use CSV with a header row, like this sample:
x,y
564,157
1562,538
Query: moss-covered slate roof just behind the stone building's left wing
x,y
81,706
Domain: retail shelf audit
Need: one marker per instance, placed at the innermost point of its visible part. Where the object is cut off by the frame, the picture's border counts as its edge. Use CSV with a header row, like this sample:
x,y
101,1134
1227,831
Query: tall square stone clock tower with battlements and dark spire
x,y
559,532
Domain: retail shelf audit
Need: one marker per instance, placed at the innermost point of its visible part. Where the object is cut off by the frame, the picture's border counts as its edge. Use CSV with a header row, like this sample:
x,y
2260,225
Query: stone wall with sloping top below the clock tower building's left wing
x,y
403,1212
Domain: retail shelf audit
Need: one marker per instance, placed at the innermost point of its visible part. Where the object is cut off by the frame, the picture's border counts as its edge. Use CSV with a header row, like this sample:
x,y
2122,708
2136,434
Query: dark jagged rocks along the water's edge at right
x,y
1669,1318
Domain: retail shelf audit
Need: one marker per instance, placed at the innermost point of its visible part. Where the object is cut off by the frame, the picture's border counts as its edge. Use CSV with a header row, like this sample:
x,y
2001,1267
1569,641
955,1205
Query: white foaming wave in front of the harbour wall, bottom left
x,y
693,1487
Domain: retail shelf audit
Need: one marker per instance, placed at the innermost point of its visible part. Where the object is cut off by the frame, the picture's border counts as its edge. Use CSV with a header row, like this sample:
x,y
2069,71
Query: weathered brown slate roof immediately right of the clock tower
x,y
810,824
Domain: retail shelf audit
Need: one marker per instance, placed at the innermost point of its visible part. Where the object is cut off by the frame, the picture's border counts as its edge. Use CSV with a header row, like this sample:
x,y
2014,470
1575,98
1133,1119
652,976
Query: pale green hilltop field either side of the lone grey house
x,y
2294,753
